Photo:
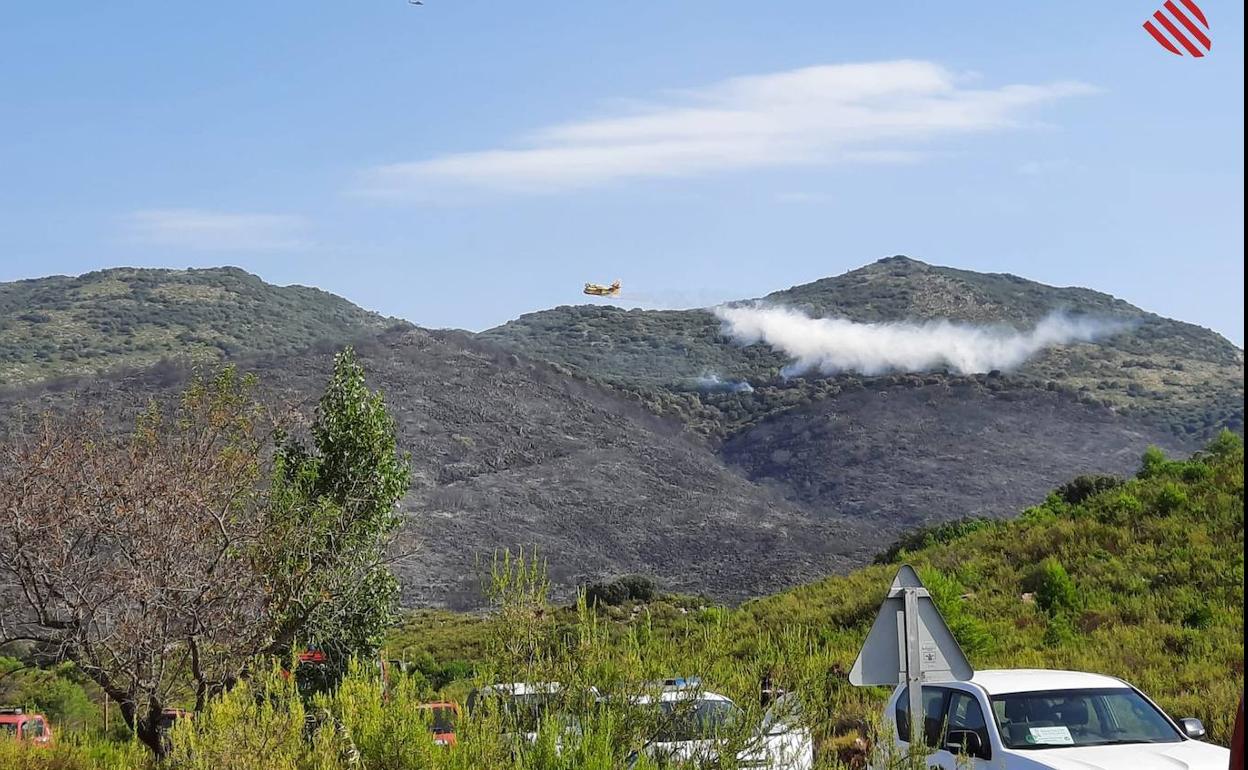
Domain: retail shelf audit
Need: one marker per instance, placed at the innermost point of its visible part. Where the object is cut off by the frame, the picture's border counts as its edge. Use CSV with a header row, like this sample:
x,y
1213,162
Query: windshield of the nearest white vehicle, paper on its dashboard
x,y
1080,718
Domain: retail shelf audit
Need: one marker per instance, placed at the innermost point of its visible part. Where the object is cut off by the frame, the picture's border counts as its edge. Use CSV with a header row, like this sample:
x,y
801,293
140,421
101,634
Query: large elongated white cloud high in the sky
x,y
853,113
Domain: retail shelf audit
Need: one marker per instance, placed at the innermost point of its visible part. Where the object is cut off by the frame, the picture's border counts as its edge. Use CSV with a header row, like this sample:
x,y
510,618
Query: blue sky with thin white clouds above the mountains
x,y
461,163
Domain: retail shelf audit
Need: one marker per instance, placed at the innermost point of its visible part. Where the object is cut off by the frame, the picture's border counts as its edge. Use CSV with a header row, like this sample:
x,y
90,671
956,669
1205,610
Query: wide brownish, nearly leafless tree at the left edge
x,y
165,560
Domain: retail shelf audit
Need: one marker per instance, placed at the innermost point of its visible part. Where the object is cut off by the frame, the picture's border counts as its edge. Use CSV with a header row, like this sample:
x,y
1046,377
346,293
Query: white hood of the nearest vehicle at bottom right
x,y
1186,756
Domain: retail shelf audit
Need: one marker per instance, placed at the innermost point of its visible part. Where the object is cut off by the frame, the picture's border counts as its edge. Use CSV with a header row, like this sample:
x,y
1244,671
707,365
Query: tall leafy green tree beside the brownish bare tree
x,y
341,495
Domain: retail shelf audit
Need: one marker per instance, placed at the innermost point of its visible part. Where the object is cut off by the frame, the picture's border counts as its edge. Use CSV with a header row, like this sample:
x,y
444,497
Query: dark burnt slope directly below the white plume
x,y
909,452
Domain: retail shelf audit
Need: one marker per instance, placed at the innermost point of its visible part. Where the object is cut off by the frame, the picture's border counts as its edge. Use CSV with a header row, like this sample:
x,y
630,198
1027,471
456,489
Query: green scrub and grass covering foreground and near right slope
x,y
1141,580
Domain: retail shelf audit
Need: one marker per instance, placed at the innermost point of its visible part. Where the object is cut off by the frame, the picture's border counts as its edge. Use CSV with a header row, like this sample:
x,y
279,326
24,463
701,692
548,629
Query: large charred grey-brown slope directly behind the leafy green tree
x,y
510,454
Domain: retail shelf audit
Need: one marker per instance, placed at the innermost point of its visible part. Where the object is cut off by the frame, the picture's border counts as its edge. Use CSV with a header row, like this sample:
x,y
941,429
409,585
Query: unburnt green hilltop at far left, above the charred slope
x,y
133,318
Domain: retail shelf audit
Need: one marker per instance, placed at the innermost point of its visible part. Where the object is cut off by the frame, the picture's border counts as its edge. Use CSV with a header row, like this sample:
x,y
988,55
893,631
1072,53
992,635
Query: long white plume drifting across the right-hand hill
x,y
839,345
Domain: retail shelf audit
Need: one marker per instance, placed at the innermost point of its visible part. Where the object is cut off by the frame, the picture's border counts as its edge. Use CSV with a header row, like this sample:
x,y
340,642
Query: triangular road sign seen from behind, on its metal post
x,y
910,645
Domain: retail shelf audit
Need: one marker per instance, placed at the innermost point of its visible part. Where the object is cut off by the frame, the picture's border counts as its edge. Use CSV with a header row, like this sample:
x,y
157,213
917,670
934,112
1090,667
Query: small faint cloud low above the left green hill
x,y
217,230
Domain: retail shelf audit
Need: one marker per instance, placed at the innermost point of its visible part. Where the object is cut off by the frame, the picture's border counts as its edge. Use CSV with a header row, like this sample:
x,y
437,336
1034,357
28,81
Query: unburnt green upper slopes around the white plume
x,y
1177,375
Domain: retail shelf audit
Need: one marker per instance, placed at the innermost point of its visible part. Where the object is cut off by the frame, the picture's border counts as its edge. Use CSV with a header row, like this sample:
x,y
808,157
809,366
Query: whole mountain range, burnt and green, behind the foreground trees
x,y
724,491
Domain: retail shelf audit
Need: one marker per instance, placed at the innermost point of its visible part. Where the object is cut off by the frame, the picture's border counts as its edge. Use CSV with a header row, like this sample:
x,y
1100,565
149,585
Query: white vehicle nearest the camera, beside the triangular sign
x,y
1050,721
